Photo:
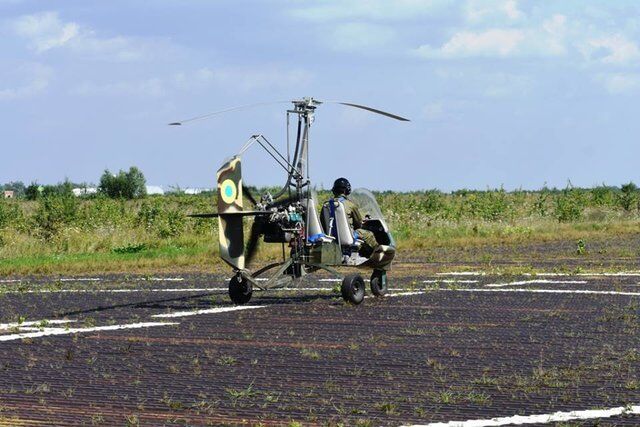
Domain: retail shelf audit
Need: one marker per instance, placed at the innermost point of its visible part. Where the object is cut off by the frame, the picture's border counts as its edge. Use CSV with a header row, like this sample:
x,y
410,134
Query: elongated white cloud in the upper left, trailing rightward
x,y
46,31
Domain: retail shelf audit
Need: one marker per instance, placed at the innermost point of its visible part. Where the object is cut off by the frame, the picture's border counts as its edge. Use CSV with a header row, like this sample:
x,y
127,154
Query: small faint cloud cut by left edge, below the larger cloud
x,y
32,80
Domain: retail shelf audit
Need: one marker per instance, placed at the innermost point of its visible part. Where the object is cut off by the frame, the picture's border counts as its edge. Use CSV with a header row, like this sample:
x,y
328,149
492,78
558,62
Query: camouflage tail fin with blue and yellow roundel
x,y
231,232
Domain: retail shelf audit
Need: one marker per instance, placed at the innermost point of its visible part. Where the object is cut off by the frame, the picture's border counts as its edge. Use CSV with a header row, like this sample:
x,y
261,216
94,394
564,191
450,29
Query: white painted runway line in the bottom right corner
x,y
589,414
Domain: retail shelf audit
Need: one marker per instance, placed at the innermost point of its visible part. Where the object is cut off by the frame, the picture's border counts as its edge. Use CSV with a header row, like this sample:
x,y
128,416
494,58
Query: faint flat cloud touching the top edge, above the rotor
x,y
377,10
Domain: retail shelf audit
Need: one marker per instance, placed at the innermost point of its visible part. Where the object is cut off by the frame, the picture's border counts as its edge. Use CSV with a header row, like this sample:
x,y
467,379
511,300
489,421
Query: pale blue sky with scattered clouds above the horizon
x,y
500,93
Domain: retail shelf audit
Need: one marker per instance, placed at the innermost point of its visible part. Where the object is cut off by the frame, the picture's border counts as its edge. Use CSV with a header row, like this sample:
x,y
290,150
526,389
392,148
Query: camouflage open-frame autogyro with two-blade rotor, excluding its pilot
x,y
290,218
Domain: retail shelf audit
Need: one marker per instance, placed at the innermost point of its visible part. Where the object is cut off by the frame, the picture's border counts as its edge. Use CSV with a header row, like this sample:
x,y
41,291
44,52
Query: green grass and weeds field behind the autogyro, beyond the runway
x,y
83,236
